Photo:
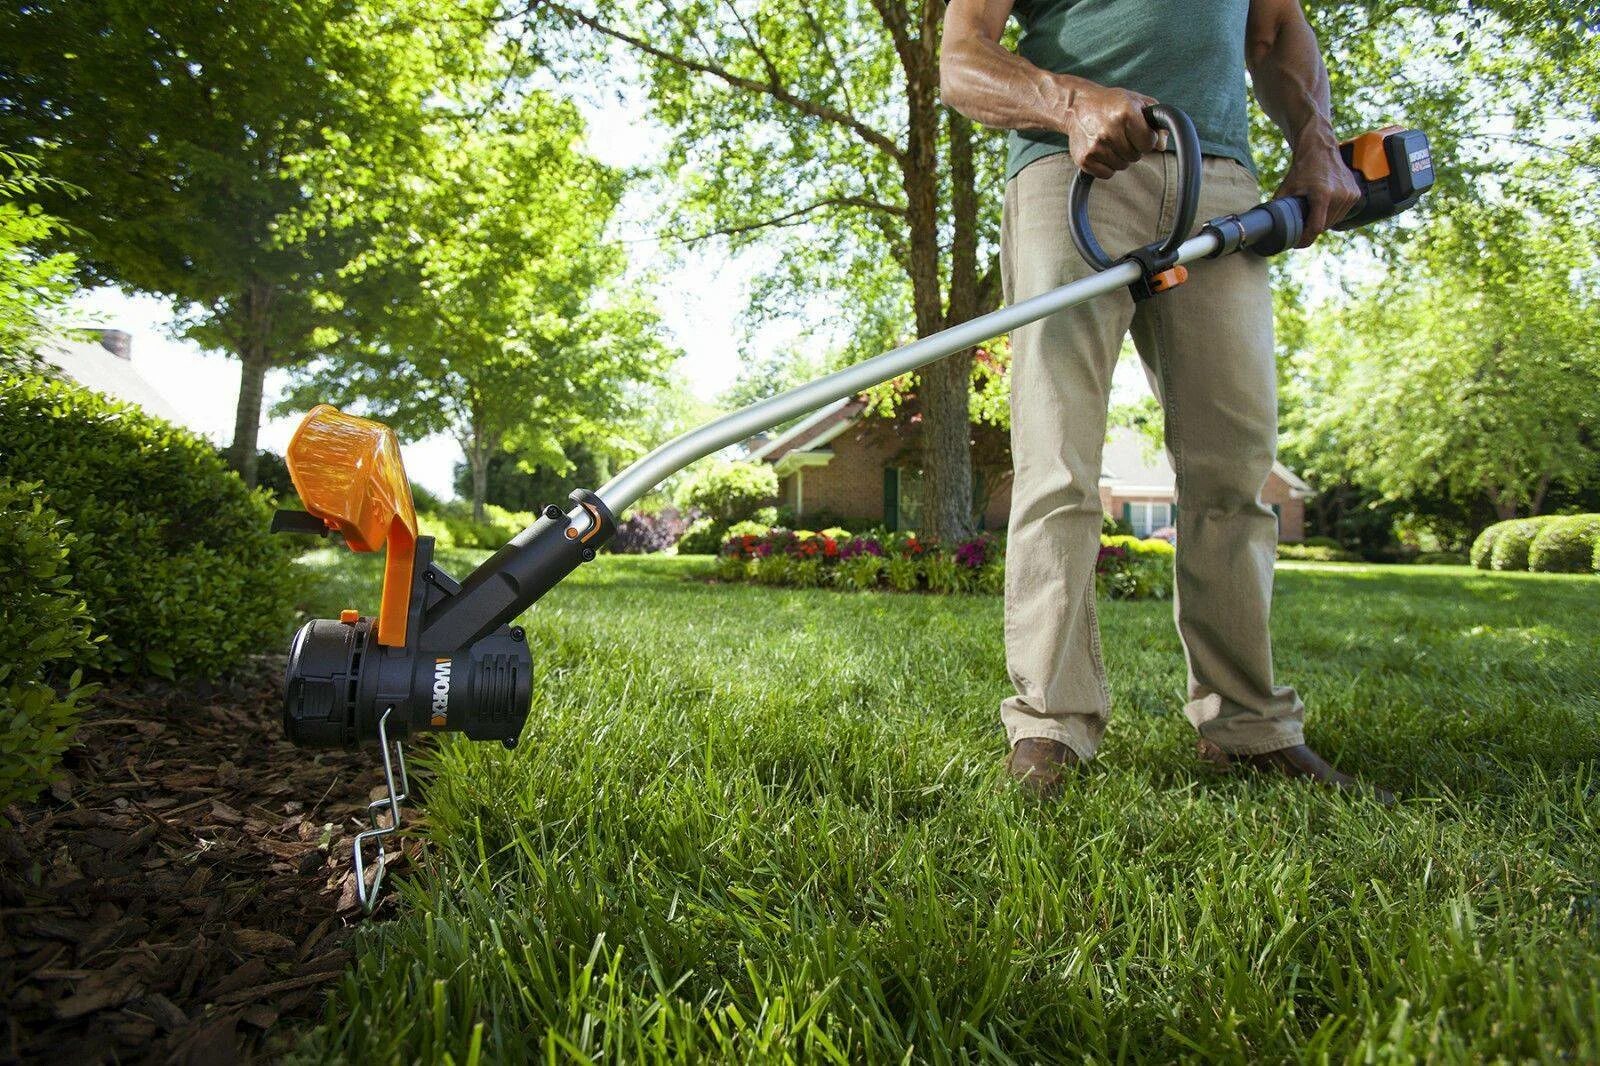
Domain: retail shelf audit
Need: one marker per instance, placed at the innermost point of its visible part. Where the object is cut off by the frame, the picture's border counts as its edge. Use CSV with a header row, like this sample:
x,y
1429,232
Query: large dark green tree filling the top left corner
x,y
201,130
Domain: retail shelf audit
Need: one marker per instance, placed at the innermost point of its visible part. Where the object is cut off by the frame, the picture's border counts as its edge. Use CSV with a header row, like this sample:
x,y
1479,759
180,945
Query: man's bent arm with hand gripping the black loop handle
x,y
1105,127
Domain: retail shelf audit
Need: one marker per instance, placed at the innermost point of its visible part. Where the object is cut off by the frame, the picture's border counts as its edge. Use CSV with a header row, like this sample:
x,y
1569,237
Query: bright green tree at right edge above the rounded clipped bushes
x,y
1476,374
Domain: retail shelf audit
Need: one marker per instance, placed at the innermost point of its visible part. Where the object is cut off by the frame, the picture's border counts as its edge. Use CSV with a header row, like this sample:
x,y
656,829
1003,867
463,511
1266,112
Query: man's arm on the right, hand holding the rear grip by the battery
x,y
1292,86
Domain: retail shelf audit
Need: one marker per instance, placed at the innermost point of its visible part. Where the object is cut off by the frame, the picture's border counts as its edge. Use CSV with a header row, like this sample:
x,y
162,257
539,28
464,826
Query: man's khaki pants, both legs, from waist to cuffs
x,y
1207,348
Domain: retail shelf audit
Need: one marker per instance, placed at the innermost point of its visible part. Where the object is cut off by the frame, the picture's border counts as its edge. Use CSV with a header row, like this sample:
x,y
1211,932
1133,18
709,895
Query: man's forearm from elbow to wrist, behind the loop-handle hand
x,y
999,89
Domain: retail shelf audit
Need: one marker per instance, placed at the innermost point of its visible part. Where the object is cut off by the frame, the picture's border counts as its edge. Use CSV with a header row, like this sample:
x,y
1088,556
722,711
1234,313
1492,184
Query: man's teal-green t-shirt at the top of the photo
x,y
1188,54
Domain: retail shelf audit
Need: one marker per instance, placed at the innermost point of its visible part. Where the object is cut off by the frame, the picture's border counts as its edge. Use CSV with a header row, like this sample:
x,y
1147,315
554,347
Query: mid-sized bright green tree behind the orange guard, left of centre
x,y
494,307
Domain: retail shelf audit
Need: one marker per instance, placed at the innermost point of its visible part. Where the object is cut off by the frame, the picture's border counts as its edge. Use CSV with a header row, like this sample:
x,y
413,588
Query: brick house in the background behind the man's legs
x,y
839,465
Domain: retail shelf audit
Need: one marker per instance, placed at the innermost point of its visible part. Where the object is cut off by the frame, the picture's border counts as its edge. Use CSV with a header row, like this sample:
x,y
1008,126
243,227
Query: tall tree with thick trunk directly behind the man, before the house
x,y
823,122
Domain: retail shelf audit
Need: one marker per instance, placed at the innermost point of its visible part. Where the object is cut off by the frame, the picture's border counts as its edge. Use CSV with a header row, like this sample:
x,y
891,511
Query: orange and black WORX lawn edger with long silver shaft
x,y
444,655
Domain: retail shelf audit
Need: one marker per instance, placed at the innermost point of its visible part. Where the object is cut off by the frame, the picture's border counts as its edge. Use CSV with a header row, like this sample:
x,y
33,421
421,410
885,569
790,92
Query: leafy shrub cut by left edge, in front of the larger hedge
x,y
44,639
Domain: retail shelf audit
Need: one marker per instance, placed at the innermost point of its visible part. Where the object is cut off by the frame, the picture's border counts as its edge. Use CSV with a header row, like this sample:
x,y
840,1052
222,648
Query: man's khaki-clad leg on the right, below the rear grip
x,y
1209,351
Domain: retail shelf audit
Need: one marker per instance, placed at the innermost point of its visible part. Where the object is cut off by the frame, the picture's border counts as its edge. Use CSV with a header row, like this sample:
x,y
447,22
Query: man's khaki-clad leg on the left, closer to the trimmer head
x,y
1062,372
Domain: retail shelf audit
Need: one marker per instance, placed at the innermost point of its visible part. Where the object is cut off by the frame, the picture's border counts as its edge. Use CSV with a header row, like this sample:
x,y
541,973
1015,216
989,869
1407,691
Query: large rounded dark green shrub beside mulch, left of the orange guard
x,y
174,553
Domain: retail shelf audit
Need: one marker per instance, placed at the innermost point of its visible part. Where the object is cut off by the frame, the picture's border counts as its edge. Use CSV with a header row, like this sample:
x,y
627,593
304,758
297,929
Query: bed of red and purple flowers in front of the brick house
x,y
1127,567
